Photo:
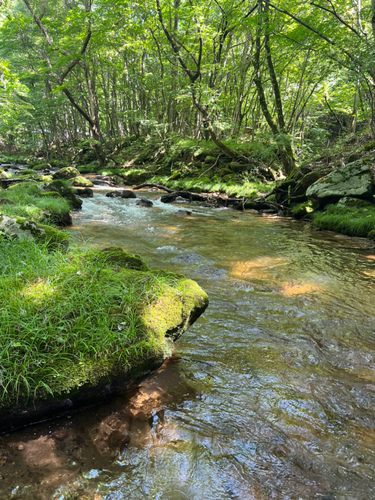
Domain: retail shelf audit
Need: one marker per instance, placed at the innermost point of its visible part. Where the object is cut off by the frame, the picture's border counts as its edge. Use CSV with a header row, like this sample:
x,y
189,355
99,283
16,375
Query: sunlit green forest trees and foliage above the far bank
x,y
298,73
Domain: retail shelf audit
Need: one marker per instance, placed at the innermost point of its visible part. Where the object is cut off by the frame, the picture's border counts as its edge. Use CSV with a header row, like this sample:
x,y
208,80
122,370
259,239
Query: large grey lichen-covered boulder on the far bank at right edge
x,y
354,180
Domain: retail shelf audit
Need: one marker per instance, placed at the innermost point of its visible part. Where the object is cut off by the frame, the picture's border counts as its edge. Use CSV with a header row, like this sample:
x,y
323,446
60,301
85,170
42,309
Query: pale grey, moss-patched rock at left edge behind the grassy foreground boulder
x,y
23,229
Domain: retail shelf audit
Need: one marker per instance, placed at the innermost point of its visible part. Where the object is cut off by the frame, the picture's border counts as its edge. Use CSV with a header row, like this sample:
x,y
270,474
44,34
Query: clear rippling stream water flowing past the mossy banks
x,y
270,395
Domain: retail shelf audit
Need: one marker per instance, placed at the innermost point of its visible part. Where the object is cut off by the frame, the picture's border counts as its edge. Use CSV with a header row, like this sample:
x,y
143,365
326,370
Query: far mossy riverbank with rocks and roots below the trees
x,y
253,181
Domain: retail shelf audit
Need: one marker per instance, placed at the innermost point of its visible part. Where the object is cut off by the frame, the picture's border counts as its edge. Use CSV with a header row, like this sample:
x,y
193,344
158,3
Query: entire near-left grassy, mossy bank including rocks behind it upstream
x,y
72,320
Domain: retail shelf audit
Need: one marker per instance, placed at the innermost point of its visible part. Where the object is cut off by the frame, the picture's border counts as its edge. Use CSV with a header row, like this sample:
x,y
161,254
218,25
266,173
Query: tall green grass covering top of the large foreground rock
x,y
66,319
